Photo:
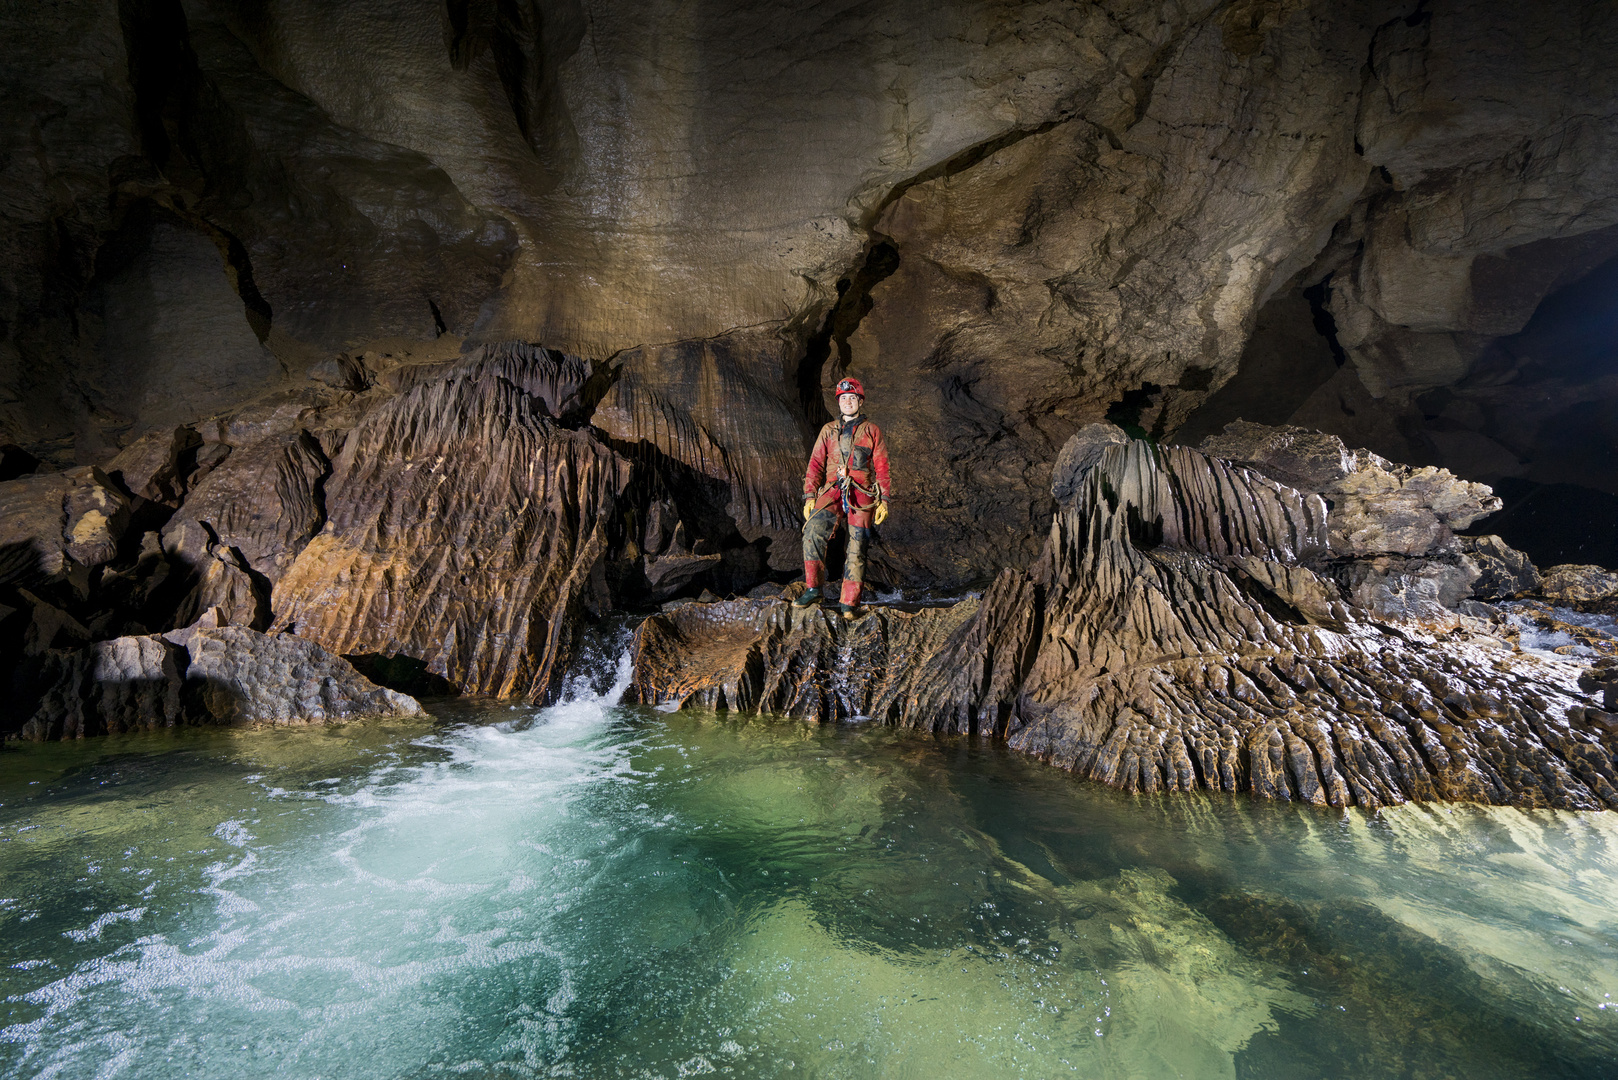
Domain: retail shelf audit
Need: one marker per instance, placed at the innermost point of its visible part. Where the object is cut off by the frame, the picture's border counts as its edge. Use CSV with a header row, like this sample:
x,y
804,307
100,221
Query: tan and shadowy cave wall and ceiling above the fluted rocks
x,y
1009,219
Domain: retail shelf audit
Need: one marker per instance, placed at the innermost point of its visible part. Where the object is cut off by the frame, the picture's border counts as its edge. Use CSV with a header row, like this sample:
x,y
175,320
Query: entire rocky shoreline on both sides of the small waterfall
x,y
1273,613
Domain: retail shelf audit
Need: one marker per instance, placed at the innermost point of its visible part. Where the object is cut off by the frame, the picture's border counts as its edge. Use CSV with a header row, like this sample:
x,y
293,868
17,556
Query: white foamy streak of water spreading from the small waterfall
x,y
355,942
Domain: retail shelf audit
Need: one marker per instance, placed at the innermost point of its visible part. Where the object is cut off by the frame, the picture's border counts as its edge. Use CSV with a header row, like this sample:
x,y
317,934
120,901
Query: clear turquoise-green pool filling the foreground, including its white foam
x,y
593,891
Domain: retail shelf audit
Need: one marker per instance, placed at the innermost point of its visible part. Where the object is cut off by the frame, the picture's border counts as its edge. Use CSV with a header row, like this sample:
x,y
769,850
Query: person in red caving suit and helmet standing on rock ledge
x,y
847,482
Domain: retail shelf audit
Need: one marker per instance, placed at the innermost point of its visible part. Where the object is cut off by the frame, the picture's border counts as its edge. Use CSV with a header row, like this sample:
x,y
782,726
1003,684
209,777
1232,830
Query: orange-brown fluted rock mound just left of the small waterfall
x,y
464,529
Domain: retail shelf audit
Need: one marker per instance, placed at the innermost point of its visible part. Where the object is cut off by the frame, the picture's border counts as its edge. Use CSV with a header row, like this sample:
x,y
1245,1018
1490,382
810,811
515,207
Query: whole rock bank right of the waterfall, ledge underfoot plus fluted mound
x,y
1188,627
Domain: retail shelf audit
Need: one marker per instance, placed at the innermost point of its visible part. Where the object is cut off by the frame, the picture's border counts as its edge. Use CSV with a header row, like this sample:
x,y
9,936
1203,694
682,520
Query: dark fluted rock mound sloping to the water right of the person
x,y
1163,670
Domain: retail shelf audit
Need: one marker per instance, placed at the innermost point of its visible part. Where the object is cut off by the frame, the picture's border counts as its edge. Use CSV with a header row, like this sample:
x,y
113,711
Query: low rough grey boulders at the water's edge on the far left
x,y
203,676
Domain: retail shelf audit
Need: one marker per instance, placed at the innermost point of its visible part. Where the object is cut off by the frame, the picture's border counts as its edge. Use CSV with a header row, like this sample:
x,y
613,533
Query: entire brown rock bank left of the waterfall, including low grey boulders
x,y
444,525
